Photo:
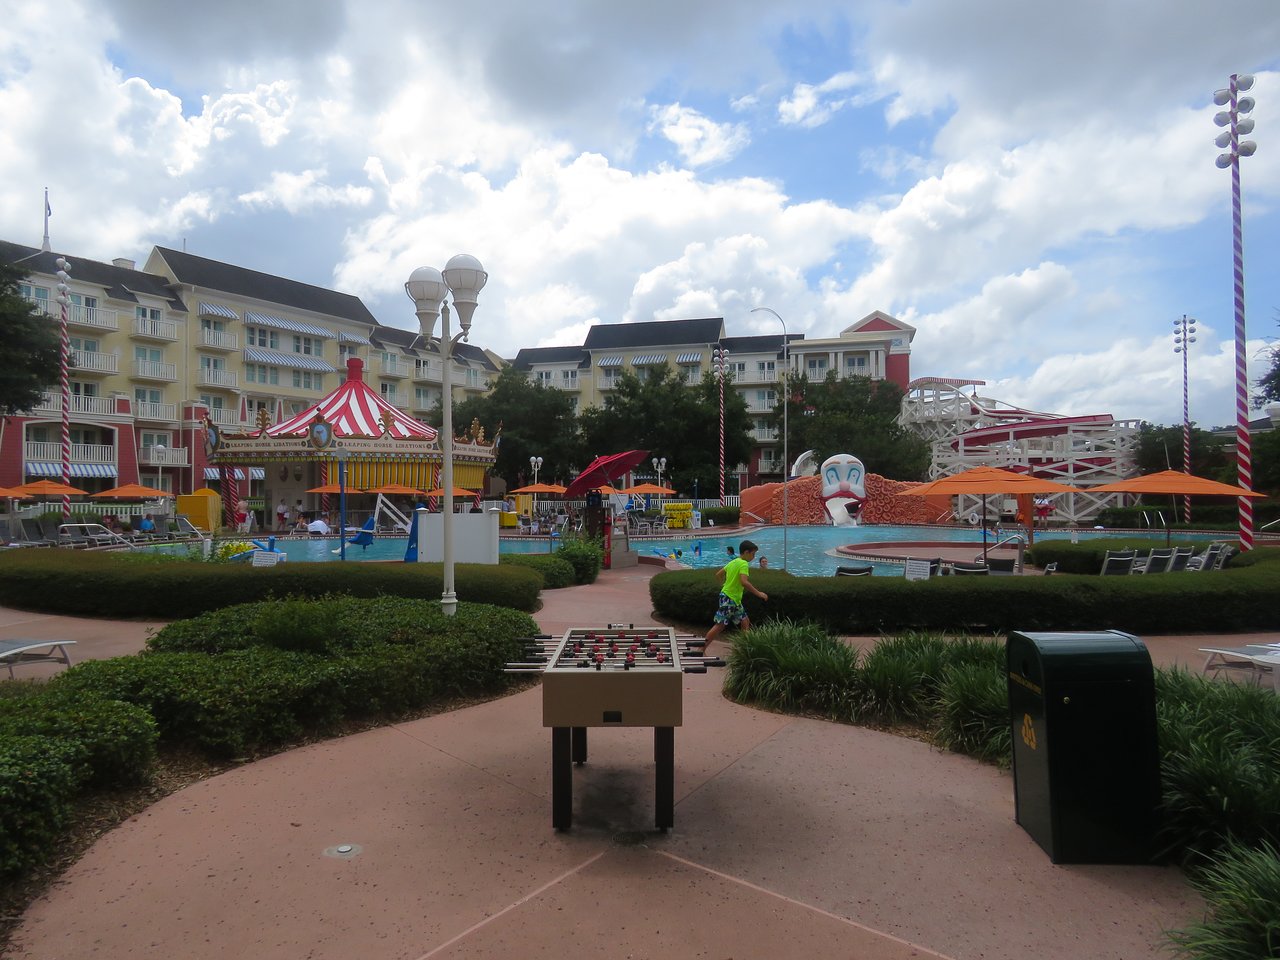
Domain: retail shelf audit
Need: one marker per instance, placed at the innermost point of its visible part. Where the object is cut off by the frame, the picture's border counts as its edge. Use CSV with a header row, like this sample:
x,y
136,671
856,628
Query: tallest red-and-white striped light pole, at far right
x,y
1231,138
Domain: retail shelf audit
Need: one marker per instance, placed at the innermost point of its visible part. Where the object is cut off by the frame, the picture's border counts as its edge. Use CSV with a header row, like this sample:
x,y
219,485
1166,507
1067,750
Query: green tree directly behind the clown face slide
x,y
854,415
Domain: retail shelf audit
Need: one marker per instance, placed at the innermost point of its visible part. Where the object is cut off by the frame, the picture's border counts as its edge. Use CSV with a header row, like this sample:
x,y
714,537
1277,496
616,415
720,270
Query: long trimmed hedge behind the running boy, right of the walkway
x,y
1232,601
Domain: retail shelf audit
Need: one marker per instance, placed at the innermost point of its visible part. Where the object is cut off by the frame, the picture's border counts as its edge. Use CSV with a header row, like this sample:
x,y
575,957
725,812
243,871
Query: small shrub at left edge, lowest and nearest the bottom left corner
x,y
38,783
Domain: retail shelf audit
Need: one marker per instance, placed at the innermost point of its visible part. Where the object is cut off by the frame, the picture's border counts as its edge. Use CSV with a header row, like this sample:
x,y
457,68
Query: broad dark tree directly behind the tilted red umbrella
x,y
666,418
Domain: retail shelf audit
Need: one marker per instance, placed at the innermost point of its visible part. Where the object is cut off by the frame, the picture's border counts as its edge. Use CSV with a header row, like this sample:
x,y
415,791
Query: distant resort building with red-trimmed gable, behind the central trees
x,y
877,346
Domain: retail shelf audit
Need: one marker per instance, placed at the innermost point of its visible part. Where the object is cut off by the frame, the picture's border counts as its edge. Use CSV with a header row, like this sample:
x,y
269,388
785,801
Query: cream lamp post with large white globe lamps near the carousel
x,y
464,277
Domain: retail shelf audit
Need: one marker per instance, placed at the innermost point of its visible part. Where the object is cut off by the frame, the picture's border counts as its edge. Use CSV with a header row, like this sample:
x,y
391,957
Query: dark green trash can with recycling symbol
x,y
1086,760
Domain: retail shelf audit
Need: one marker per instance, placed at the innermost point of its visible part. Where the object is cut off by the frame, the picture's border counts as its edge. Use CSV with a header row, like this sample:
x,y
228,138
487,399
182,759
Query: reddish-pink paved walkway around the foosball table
x,y
793,838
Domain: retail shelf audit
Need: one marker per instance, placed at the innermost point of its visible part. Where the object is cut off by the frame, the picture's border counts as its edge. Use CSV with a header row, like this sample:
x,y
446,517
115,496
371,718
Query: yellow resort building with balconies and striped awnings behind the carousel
x,y
158,350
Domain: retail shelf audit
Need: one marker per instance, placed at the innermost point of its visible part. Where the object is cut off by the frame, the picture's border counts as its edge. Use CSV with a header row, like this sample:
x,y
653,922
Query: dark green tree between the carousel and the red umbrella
x,y
537,422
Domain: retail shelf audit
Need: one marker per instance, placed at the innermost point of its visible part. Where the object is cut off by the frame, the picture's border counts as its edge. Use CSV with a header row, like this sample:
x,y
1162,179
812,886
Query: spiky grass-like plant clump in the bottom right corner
x,y
1241,892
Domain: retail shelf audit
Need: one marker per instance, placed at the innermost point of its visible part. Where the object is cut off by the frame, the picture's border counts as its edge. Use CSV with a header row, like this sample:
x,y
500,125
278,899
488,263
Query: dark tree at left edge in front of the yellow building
x,y
29,349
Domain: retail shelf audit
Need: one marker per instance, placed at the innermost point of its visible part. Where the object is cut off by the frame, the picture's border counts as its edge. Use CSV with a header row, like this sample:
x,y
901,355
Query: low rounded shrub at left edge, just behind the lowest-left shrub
x,y
113,743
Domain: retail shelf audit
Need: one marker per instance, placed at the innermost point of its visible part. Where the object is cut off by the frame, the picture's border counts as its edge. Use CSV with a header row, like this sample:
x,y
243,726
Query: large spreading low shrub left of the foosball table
x,y
222,684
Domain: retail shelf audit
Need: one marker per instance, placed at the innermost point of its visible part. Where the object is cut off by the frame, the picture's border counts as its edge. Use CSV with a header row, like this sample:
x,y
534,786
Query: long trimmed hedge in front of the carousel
x,y
109,586
